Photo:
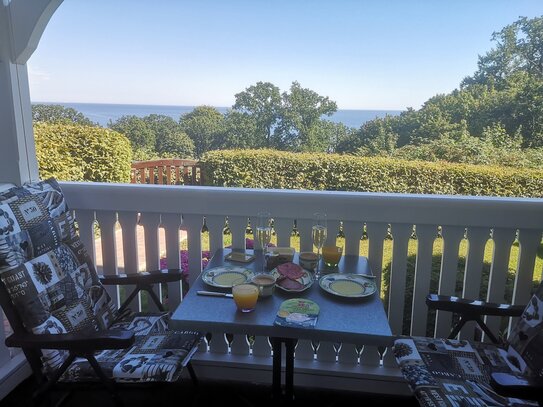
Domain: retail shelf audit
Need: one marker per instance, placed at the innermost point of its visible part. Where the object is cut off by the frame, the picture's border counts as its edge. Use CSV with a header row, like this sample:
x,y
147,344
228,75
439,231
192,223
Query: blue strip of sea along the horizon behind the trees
x,y
103,113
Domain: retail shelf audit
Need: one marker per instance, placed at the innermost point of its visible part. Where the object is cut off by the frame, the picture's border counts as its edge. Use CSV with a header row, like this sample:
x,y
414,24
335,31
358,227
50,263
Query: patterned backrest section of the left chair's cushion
x,y
45,268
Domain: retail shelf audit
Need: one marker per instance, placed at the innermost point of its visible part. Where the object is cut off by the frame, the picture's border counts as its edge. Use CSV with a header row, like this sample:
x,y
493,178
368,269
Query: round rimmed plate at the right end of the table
x,y
348,285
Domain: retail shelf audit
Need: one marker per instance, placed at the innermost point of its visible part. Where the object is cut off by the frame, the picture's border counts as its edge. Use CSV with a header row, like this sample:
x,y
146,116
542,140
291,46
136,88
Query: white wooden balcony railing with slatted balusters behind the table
x,y
347,367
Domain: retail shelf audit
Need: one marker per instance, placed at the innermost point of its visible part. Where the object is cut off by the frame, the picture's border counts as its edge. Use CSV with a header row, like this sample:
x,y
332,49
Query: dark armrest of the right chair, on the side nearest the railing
x,y
472,307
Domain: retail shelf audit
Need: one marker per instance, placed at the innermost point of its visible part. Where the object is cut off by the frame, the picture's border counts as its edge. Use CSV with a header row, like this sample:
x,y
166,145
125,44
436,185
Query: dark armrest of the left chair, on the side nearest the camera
x,y
74,341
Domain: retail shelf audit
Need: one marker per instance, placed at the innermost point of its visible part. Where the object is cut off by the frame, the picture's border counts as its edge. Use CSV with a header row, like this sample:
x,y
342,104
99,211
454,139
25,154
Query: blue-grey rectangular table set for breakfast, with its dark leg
x,y
359,320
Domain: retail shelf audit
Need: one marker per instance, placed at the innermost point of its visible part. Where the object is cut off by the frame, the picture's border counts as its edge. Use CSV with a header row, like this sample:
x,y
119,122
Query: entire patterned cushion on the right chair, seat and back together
x,y
451,372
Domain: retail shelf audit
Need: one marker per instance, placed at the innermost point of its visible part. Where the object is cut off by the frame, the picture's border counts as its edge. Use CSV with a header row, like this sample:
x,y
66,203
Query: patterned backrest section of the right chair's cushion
x,y
526,338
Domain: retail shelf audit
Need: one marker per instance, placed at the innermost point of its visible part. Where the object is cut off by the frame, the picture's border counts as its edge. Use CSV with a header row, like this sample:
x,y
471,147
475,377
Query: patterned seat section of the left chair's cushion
x,y
159,354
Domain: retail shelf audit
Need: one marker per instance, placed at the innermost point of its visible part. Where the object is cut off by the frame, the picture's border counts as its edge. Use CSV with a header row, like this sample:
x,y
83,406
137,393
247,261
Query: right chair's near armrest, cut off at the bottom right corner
x,y
518,386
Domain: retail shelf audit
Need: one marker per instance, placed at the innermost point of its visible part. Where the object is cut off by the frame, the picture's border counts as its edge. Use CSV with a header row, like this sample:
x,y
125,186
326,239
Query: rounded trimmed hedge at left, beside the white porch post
x,y
82,153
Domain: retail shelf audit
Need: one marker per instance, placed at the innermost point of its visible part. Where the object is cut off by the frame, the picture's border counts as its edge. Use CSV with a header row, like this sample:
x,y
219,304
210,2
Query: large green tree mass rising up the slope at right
x,y
502,99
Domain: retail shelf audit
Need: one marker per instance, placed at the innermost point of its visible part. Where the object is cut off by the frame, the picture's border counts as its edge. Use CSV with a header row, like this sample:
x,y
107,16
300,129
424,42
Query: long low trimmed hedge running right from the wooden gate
x,y
283,170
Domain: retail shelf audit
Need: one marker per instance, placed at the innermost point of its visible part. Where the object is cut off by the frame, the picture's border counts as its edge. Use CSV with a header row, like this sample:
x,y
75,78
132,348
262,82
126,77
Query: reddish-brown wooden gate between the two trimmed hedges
x,y
167,172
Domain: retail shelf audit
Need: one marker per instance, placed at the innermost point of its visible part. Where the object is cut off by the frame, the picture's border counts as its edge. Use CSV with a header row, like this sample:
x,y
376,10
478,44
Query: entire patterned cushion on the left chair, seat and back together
x,y
54,286
